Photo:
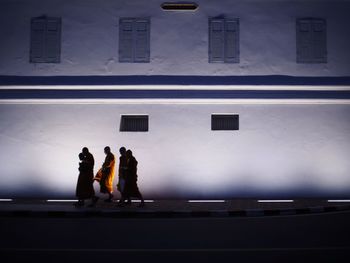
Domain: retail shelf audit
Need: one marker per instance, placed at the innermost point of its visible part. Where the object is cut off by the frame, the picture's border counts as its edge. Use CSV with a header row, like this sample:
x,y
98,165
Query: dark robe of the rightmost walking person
x,y
131,189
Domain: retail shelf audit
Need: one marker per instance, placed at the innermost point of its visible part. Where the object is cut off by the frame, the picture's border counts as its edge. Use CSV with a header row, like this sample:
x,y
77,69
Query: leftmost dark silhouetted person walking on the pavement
x,y
85,189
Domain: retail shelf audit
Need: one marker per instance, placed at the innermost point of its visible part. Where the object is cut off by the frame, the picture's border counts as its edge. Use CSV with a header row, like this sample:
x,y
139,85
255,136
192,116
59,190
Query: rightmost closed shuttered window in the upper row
x,y
311,40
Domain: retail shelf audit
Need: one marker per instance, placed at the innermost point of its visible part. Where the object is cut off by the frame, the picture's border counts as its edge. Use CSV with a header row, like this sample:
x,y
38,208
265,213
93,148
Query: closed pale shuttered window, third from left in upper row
x,y
223,40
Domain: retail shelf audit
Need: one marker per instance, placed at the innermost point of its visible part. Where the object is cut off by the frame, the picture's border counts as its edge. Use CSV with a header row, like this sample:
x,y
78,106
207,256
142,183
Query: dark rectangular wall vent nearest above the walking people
x,y
134,123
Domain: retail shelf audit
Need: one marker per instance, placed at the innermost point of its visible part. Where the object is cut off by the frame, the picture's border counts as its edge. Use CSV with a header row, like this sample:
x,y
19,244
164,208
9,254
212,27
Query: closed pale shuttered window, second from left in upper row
x,y
134,40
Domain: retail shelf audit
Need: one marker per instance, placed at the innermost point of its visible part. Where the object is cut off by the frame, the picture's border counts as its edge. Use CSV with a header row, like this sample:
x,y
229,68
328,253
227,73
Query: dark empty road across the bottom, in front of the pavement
x,y
95,236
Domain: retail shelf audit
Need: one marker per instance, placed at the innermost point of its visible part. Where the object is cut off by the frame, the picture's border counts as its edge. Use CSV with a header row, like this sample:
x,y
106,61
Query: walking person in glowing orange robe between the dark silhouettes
x,y
106,174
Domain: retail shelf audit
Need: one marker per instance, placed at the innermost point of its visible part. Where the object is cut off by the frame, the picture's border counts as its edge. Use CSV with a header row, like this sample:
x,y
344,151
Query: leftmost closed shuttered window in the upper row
x,y
45,41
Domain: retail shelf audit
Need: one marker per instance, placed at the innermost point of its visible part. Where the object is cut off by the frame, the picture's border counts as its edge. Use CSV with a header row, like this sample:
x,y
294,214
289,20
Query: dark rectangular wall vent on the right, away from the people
x,y
224,122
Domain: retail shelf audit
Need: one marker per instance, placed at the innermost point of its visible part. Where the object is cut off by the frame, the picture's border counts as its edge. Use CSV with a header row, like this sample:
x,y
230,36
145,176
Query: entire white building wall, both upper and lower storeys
x,y
282,149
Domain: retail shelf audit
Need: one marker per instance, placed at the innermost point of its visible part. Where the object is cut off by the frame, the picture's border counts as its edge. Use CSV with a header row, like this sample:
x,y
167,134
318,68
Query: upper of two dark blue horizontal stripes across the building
x,y
172,80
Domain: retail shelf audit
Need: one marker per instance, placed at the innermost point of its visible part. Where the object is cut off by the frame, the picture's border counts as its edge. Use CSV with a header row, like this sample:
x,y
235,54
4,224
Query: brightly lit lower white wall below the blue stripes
x,y
281,149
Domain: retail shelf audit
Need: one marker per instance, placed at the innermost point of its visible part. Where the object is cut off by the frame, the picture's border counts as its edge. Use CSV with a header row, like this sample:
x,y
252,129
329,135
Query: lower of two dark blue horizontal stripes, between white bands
x,y
173,94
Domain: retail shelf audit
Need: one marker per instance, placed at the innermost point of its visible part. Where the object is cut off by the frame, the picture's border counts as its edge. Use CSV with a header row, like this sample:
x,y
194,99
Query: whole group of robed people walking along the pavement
x,y
127,177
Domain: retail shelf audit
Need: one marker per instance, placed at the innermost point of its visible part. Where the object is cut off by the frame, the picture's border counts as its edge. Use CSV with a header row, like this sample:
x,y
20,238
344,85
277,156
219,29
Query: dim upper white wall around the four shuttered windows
x,y
179,40
